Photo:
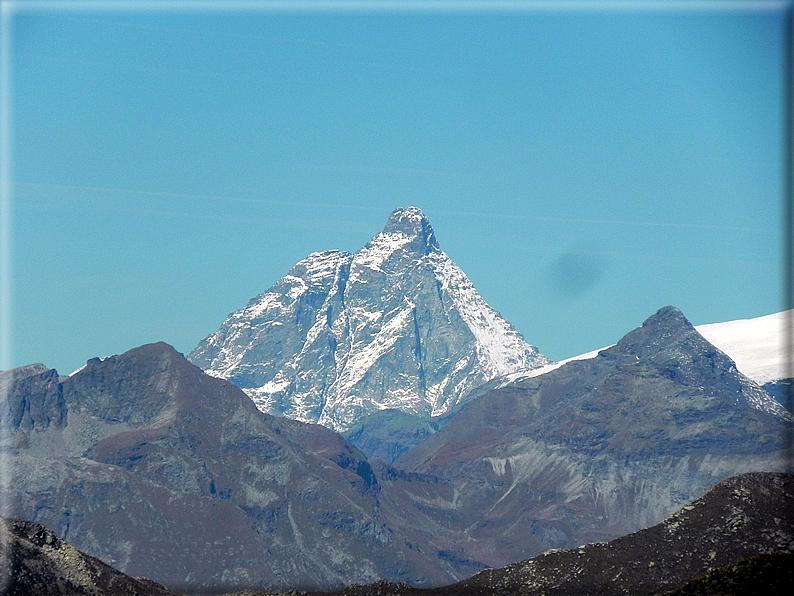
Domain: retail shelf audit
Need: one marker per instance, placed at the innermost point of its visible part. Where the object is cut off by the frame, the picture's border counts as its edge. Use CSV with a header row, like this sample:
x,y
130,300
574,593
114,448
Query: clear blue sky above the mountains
x,y
583,167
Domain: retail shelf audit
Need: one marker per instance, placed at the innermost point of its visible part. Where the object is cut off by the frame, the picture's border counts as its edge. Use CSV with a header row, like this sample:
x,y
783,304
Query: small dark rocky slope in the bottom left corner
x,y
36,562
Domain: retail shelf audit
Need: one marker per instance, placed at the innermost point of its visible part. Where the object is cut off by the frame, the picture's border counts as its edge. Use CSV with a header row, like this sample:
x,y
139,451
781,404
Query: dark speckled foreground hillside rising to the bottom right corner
x,y
730,533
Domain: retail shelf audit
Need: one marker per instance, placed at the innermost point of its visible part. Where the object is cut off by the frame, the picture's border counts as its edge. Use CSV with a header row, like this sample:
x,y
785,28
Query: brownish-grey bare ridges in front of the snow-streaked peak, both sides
x,y
149,464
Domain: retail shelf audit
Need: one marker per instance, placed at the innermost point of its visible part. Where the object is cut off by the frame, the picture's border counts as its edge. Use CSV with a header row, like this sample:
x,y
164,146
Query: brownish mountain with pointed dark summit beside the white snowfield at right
x,y
596,448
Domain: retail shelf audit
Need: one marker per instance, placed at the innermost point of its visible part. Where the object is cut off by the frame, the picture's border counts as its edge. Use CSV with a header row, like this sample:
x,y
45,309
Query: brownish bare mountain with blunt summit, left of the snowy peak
x,y
165,472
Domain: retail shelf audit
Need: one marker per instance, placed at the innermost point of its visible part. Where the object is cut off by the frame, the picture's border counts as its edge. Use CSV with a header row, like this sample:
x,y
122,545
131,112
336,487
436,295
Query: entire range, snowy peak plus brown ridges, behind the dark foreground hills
x,y
463,448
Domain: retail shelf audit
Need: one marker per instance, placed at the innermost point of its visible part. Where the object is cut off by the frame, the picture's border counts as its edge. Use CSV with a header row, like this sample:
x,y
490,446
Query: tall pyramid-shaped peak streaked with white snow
x,y
395,325
